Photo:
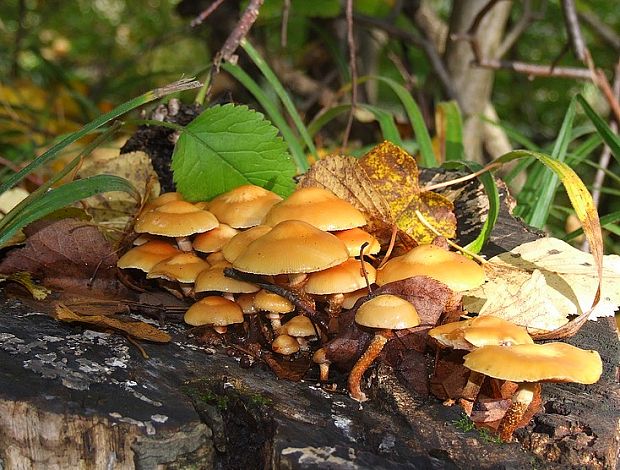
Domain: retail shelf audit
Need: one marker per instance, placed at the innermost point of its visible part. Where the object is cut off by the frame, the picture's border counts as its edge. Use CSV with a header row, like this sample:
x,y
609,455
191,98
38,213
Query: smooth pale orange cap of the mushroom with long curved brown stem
x,y
387,311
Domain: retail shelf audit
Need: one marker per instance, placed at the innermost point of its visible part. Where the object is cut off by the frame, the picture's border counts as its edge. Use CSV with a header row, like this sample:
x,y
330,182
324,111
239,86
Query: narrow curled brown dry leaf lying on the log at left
x,y
135,329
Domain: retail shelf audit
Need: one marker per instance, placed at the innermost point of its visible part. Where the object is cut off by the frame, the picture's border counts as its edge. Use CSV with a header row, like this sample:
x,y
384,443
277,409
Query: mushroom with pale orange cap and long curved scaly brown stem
x,y
385,313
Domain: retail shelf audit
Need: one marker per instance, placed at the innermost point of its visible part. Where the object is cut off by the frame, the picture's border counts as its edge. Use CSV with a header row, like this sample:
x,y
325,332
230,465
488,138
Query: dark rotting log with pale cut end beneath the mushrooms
x,y
74,398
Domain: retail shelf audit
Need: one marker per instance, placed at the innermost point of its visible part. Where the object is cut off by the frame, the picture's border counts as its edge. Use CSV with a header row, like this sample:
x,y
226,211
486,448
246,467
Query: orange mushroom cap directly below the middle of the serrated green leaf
x,y
244,206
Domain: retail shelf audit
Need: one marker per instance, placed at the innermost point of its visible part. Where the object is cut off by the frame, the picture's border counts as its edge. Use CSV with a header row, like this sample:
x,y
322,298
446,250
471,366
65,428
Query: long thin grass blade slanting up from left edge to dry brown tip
x,y
50,154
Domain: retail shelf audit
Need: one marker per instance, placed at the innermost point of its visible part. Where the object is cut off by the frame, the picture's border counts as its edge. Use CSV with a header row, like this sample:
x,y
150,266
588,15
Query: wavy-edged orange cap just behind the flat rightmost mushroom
x,y
483,330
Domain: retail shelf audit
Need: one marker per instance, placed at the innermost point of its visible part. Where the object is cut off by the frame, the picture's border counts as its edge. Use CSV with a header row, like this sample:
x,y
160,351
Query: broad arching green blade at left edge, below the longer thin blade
x,y
63,196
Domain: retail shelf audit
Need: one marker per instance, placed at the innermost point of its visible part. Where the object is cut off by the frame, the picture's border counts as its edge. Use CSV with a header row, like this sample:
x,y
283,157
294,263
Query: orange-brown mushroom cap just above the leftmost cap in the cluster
x,y
176,219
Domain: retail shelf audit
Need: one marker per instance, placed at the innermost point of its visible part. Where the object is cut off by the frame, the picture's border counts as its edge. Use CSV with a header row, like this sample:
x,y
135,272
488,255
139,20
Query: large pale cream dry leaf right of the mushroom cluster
x,y
539,284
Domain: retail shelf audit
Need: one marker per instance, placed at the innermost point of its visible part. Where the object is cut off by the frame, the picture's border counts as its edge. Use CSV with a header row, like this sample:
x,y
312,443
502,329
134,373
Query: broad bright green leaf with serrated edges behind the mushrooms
x,y
228,146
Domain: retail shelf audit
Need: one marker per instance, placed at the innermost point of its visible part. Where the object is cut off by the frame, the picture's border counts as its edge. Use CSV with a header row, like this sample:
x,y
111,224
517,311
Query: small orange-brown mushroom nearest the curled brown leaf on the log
x,y
214,311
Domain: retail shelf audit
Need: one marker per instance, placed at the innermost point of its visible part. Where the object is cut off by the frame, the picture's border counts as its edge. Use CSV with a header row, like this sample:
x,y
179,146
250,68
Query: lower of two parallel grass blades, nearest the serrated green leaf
x,y
274,114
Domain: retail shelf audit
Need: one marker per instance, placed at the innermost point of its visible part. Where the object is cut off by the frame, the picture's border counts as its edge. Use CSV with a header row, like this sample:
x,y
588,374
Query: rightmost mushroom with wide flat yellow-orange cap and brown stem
x,y
528,364
